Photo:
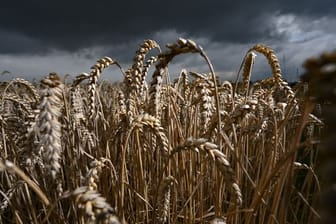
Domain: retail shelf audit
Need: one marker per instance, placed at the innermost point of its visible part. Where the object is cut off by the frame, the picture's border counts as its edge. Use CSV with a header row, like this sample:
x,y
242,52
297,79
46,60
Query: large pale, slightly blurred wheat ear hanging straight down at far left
x,y
48,126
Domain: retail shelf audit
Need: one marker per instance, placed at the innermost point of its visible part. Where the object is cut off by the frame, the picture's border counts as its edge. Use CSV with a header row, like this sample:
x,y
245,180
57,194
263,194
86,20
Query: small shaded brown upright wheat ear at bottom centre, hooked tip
x,y
163,201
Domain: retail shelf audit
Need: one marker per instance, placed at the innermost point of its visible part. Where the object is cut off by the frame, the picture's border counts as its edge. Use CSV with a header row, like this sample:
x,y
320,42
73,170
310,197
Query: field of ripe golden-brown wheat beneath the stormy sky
x,y
191,150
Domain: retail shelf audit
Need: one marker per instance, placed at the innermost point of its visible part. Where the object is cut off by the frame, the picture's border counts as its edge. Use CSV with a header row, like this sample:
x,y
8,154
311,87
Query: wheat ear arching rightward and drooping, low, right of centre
x,y
210,149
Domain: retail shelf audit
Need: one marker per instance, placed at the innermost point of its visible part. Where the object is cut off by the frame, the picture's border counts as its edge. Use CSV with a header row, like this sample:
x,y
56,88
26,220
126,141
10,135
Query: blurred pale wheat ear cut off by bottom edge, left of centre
x,y
95,207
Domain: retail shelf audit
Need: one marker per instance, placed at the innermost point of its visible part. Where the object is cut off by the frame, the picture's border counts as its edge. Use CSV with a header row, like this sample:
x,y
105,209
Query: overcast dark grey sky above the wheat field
x,y
38,37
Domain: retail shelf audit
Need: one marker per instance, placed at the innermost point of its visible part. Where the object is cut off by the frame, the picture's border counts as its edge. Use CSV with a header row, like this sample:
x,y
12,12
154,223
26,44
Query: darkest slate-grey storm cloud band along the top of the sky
x,y
39,26
